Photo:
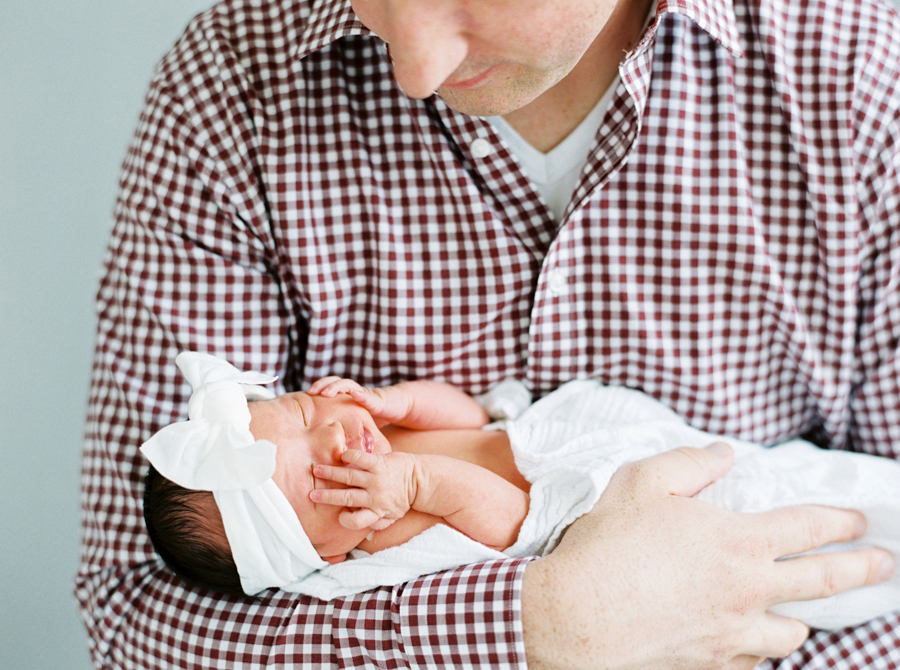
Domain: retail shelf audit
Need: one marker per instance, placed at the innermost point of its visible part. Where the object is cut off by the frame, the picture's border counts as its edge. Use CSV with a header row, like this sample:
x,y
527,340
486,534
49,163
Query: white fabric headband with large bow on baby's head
x,y
215,451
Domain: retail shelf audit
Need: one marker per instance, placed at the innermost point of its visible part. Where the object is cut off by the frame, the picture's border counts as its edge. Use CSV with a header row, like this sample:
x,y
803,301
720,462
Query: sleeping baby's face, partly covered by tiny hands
x,y
309,430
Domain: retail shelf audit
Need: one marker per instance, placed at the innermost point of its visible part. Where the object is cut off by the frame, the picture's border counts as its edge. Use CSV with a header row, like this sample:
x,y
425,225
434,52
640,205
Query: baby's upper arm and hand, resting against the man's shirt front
x,y
417,405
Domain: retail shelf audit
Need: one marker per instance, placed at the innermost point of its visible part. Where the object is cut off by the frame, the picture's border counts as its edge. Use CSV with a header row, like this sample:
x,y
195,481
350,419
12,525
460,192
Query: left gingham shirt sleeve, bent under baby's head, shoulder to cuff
x,y
192,266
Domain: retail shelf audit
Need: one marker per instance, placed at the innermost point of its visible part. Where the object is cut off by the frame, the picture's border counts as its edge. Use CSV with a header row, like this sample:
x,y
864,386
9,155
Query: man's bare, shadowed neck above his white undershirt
x,y
550,118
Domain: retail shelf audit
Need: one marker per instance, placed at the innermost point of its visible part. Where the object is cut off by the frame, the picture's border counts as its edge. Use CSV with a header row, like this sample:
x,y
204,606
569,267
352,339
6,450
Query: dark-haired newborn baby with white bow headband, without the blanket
x,y
418,446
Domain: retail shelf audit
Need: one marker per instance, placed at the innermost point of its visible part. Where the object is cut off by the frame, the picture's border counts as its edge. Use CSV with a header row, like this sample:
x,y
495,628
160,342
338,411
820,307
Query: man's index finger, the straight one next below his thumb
x,y
794,530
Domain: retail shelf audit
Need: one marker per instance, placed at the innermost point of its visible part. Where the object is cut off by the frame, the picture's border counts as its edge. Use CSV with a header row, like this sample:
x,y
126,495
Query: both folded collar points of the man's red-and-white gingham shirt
x,y
326,21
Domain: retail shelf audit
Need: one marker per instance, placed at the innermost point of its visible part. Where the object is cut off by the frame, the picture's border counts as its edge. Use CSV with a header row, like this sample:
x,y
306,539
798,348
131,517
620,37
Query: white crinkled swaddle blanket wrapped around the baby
x,y
570,443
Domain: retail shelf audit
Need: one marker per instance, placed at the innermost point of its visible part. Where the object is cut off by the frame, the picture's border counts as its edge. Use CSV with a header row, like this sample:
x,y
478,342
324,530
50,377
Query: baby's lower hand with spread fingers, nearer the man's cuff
x,y
382,488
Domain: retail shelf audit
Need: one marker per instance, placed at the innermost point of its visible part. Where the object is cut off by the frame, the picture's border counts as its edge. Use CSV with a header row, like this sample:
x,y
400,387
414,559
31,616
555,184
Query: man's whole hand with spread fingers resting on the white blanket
x,y
654,579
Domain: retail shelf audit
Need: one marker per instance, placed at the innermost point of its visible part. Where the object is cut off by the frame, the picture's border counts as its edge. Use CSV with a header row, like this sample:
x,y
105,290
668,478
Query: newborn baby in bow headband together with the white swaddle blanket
x,y
383,474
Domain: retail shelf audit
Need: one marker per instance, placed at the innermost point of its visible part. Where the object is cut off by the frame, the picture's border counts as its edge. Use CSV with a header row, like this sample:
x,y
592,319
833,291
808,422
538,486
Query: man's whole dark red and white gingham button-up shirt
x,y
731,249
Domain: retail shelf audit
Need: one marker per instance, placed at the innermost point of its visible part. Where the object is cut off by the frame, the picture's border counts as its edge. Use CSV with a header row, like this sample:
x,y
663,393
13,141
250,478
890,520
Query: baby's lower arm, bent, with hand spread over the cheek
x,y
384,487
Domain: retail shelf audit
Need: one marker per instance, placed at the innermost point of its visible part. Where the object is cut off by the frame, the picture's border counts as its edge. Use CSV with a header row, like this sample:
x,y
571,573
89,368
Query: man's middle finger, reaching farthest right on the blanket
x,y
825,574
